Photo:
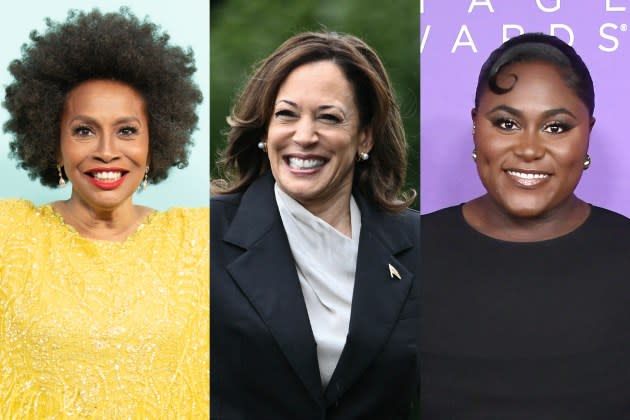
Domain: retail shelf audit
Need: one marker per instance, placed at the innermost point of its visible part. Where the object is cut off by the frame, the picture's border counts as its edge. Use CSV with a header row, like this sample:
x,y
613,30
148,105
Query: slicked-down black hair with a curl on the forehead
x,y
535,46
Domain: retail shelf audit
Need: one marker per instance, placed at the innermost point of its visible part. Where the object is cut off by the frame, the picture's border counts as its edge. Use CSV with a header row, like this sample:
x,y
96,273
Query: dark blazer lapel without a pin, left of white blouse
x,y
266,274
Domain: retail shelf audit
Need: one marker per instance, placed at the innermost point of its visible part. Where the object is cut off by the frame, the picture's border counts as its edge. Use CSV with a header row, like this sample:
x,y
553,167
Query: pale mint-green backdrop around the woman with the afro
x,y
188,24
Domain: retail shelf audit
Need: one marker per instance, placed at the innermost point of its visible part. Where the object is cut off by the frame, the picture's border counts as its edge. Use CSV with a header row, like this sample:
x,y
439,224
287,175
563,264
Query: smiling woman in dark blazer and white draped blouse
x,y
313,252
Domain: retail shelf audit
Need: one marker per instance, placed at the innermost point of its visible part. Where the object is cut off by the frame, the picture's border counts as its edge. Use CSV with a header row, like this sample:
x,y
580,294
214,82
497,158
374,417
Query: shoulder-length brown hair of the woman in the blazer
x,y
380,178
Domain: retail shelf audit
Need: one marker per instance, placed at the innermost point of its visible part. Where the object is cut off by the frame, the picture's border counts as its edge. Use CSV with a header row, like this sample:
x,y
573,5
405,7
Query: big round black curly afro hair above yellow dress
x,y
94,45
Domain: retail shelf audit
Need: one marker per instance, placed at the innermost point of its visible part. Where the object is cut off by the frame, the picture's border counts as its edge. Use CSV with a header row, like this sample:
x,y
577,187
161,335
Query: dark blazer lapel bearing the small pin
x,y
379,295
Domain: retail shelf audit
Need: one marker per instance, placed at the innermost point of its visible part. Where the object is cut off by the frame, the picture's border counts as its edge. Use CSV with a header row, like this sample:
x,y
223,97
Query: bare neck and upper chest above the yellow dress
x,y
109,224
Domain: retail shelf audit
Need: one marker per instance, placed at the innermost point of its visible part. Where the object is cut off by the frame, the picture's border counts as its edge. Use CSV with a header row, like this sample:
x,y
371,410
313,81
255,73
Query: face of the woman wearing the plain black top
x,y
531,142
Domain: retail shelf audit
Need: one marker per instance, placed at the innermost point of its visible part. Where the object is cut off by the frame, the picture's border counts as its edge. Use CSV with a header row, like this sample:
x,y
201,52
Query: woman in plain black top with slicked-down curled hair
x,y
525,296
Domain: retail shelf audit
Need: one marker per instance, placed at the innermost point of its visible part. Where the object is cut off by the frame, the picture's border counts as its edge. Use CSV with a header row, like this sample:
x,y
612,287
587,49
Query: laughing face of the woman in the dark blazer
x,y
314,134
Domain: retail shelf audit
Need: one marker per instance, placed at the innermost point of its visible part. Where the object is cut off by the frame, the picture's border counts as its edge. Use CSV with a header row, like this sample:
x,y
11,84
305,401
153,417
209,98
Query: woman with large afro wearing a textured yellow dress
x,y
104,304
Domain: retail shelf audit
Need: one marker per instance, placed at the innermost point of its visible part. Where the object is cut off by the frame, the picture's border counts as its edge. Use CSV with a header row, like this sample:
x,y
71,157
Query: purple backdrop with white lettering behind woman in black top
x,y
456,36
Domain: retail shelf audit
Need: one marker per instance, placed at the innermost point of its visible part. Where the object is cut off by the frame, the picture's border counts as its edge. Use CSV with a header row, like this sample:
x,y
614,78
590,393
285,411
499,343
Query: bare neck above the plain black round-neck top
x,y
489,218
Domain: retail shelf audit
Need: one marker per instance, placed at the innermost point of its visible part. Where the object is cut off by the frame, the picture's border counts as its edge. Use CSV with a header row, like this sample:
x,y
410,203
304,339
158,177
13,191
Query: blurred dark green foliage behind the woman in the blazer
x,y
242,32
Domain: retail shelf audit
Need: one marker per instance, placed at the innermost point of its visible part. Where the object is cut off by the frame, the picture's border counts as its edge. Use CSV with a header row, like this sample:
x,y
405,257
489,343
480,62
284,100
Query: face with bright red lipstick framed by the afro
x,y
104,142
